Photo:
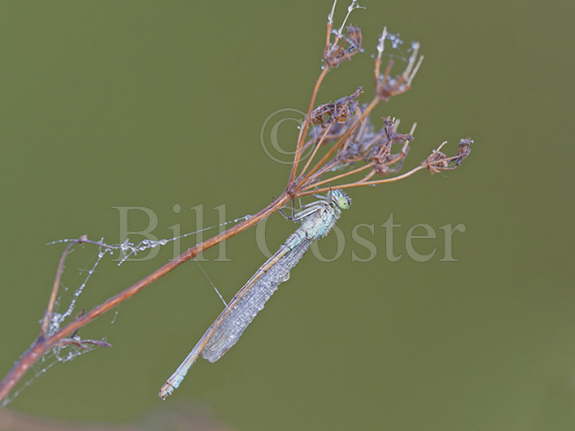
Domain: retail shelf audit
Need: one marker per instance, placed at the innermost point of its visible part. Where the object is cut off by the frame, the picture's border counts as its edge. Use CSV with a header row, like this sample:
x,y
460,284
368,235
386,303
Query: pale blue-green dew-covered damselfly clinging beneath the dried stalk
x,y
316,220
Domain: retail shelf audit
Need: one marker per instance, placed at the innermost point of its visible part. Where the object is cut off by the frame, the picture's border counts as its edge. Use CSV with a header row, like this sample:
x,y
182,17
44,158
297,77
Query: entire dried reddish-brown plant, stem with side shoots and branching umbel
x,y
346,150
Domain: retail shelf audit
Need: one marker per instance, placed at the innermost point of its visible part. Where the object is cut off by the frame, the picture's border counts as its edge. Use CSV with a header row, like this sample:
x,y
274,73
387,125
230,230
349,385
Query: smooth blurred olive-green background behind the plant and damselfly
x,y
146,103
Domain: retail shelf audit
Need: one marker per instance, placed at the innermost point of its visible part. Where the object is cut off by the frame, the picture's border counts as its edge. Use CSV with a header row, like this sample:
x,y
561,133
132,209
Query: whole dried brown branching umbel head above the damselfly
x,y
352,143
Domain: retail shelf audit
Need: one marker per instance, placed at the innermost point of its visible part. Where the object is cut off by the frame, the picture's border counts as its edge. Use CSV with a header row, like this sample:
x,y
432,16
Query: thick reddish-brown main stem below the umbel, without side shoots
x,y
43,344
